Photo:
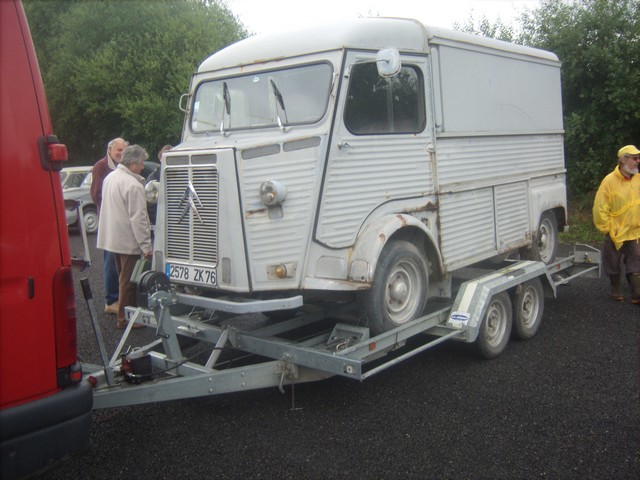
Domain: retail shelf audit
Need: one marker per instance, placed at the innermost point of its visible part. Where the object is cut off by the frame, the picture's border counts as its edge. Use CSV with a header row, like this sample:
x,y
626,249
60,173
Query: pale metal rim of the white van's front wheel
x,y
402,294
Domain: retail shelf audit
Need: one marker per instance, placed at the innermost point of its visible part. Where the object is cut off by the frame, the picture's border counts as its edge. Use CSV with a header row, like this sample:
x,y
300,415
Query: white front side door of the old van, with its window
x,y
378,157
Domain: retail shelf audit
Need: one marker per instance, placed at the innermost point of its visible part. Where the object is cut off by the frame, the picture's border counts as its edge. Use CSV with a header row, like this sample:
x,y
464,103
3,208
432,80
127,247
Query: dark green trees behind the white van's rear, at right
x,y
598,42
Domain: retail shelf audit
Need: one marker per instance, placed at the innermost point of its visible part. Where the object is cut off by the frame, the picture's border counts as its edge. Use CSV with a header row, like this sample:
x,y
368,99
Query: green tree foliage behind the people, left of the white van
x,y
118,68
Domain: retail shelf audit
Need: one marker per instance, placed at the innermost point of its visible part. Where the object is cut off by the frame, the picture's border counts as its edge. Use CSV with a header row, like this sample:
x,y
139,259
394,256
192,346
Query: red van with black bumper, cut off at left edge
x,y
45,411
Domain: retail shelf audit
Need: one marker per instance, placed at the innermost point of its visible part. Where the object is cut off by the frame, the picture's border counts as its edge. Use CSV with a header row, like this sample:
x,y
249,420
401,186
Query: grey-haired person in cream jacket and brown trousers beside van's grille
x,y
124,224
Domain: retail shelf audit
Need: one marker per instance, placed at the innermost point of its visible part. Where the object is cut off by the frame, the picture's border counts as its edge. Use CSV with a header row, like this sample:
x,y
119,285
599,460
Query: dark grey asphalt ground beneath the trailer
x,y
561,405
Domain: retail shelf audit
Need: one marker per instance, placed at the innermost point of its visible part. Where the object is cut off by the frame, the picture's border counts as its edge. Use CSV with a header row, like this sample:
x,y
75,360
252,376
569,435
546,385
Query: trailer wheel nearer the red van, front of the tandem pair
x,y
496,327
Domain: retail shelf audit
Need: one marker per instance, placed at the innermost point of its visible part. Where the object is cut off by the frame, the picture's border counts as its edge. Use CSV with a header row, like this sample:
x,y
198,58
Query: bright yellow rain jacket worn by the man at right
x,y
616,209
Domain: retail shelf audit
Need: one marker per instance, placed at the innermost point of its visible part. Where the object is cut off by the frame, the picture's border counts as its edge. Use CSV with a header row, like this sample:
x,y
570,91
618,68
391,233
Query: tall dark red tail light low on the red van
x,y
64,305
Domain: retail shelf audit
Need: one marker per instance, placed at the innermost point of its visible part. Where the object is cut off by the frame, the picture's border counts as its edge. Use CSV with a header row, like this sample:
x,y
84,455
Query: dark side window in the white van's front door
x,y
378,105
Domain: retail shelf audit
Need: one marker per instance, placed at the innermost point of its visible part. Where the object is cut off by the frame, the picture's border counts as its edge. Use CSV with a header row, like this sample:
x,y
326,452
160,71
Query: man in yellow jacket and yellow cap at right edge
x,y
616,213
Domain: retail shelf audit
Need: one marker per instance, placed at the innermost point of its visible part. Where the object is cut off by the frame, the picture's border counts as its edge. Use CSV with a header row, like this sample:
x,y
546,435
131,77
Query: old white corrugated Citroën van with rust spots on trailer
x,y
371,157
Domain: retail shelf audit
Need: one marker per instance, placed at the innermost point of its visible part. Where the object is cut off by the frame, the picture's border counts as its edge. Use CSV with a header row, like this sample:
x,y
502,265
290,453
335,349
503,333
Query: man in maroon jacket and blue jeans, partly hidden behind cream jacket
x,y
101,169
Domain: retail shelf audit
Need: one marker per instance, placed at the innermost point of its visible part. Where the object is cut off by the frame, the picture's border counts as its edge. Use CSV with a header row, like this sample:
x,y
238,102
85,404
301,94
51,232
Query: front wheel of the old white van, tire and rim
x,y
399,290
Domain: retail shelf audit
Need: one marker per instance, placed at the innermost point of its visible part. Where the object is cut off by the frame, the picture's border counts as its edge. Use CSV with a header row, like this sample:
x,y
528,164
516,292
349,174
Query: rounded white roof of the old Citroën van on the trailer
x,y
375,33
